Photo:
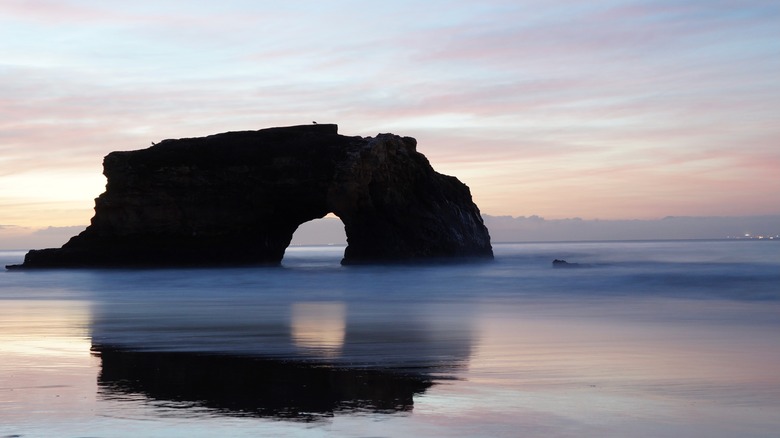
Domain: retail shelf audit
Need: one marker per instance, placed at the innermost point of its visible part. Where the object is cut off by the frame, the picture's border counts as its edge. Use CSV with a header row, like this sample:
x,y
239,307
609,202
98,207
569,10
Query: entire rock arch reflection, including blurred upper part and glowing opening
x,y
274,355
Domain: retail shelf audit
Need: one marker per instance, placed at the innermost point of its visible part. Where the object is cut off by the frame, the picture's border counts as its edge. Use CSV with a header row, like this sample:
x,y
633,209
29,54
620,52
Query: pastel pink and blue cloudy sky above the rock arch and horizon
x,y
598,109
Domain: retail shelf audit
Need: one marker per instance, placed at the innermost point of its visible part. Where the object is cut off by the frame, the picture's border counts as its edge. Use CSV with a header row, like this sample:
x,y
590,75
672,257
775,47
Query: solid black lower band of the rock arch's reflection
x,y
252,386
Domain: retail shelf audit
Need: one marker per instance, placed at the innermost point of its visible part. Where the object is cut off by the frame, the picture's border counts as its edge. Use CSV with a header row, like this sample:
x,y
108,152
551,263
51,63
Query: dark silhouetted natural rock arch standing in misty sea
x,y
238,197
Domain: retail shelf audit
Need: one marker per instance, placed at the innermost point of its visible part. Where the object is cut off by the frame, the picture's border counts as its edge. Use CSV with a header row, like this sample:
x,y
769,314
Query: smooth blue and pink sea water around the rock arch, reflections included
x,y
654,339
